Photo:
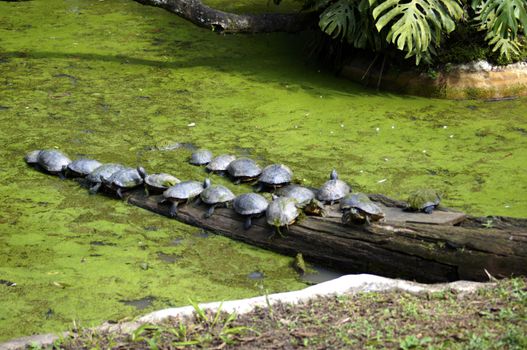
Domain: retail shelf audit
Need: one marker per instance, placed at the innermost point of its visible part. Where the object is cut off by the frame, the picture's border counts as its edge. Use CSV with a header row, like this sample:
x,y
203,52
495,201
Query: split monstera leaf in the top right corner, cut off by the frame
x,y
503,20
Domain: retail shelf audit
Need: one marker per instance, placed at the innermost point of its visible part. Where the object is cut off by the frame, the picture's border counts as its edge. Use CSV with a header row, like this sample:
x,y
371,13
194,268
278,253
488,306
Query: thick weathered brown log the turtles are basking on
x,y
425,250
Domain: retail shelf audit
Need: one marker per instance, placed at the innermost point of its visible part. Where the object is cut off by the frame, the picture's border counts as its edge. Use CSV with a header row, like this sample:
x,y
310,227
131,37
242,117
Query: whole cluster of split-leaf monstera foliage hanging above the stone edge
x,y
417,28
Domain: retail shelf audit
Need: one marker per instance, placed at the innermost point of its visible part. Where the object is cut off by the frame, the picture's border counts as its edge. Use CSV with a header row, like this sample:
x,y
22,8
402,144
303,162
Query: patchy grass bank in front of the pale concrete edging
x,y
491,318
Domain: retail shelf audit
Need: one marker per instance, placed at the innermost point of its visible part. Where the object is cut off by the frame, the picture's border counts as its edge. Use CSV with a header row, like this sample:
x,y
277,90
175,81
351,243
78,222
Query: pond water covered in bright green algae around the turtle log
x,y
114,80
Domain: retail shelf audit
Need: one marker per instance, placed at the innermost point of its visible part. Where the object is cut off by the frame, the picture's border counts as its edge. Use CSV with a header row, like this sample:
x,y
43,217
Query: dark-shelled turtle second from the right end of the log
x,y
357,208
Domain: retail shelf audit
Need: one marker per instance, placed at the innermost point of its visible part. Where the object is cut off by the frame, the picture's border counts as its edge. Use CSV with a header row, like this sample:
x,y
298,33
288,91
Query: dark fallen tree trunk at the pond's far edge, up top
x,y
203,16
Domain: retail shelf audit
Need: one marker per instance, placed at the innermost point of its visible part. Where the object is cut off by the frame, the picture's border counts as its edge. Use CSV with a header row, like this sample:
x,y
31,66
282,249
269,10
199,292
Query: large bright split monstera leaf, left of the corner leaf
x,y
416,25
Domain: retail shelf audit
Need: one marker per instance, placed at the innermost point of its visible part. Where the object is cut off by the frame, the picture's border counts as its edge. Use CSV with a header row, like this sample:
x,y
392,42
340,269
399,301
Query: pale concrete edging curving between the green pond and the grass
x,y
348,284
